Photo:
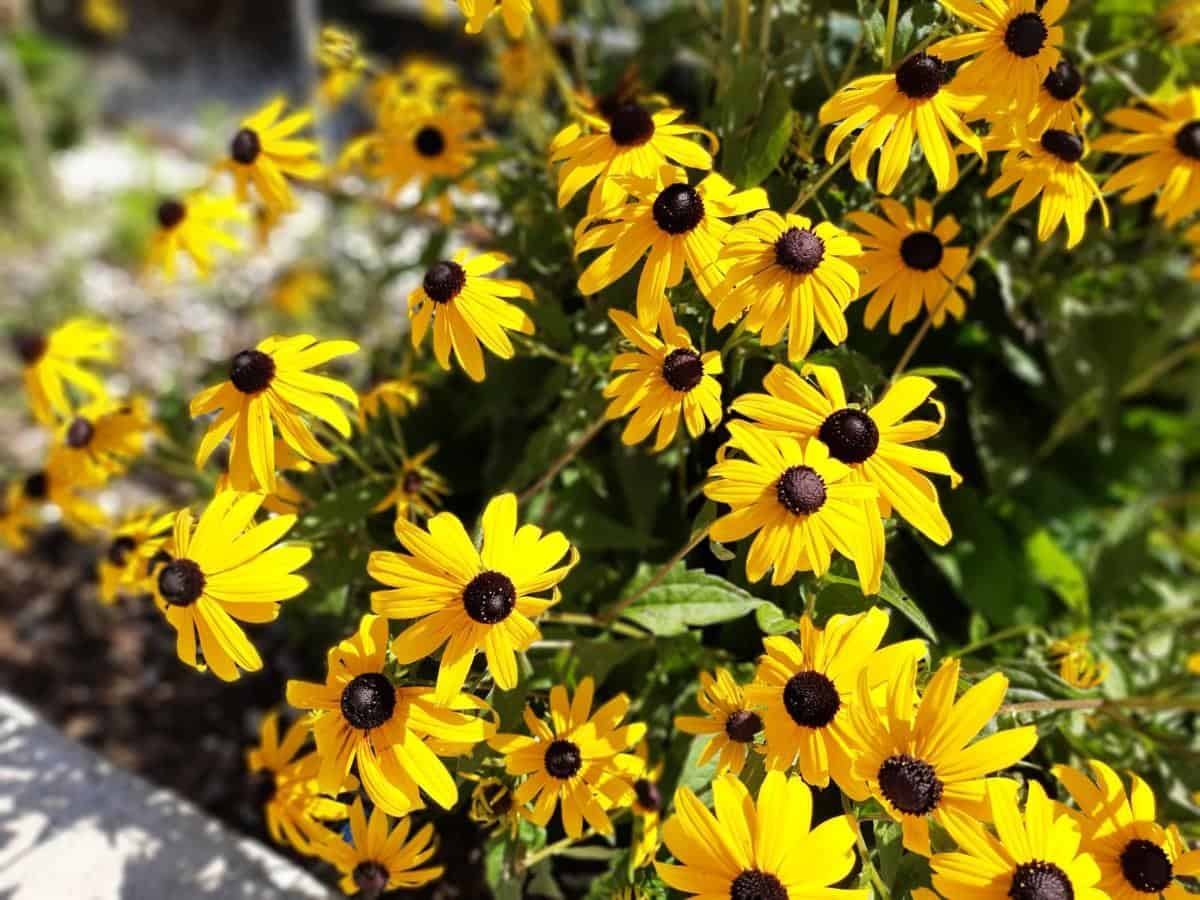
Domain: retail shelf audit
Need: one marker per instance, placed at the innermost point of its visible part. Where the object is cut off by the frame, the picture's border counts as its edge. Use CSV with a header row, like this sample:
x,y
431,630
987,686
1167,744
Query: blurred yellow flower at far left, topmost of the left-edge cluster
x,y
53,367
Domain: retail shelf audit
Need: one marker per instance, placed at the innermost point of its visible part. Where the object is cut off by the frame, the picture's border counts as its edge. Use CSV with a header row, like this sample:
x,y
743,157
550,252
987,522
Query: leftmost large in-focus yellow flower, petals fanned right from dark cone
x,y
227,571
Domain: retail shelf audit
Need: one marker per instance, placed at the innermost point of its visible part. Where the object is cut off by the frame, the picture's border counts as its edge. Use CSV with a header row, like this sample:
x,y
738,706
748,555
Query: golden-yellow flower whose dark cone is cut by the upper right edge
x,y
1167,136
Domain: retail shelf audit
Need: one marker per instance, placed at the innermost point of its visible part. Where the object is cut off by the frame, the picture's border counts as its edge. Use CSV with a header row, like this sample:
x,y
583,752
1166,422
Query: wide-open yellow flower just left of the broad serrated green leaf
x,y
470,599
